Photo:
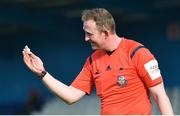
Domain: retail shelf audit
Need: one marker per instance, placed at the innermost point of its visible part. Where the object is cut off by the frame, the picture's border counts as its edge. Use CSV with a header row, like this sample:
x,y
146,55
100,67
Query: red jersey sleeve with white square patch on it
x,y
147,67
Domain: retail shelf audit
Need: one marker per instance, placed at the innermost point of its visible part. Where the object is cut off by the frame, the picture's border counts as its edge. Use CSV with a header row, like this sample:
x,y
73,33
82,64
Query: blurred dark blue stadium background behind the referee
x,y
53,30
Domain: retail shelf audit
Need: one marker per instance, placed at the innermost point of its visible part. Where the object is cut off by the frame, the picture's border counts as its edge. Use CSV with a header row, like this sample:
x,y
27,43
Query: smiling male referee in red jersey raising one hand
x,y
123,71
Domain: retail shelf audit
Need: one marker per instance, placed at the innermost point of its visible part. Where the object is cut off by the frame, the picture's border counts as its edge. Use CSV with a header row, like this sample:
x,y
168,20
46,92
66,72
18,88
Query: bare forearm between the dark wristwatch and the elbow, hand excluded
x,y
66,93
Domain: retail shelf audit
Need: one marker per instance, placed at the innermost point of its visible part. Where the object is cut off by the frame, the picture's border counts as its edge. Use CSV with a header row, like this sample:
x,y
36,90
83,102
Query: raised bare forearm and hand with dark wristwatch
x,y
67,93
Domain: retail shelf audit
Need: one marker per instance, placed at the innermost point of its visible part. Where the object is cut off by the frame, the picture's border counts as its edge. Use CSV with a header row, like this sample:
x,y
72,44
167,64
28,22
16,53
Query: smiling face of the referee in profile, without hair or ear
x,y
93,35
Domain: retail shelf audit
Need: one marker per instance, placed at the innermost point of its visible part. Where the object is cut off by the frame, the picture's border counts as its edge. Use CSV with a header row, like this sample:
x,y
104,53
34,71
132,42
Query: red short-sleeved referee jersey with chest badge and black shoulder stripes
x,y
121,79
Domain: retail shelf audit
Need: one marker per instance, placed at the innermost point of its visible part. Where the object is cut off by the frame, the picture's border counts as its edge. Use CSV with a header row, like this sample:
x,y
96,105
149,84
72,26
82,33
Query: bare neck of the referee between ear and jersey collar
x,y
113,42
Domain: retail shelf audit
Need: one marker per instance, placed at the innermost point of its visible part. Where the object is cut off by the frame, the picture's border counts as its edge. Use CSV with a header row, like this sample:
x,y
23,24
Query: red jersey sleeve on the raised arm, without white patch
x,y
84,81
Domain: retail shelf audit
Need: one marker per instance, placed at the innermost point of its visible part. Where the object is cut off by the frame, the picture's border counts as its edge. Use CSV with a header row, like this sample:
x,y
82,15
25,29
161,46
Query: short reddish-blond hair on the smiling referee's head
x,y
102,18
